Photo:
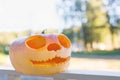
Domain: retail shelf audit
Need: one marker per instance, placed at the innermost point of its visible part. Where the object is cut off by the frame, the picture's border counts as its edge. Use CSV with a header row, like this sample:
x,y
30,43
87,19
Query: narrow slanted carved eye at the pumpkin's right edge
x,y
64,41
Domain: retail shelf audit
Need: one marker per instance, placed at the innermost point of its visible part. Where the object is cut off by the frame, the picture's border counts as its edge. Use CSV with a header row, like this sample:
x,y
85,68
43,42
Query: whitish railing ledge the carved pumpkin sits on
x,y
7,73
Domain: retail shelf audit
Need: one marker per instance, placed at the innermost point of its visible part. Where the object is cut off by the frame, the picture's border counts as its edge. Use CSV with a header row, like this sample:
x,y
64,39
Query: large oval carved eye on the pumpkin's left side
x,y
36,42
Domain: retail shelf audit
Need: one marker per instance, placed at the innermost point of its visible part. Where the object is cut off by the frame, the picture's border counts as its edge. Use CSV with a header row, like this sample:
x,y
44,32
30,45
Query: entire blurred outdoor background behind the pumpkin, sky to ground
x,y
93,26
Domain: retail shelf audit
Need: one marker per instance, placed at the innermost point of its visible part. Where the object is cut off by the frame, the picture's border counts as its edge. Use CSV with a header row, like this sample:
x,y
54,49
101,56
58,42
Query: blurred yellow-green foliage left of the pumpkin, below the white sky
x,y
6,38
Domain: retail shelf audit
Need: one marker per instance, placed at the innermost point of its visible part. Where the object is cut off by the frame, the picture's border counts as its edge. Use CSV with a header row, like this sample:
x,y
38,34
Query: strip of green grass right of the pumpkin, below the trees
x,y
96,53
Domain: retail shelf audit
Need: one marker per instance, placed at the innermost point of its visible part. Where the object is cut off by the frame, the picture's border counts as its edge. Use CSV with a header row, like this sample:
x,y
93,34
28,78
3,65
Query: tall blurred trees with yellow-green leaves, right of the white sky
x,y
98,29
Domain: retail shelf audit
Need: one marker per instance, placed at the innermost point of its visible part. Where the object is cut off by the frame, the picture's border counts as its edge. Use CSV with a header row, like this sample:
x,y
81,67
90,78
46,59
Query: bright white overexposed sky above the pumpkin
x,y
16,15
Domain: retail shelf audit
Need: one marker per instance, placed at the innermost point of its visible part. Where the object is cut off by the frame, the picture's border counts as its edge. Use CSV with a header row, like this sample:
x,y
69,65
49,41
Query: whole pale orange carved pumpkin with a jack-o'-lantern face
x,y
41,54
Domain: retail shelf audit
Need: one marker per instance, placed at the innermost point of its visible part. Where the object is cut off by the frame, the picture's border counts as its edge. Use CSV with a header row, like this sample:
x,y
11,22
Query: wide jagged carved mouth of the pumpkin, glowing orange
x,y
53,61
